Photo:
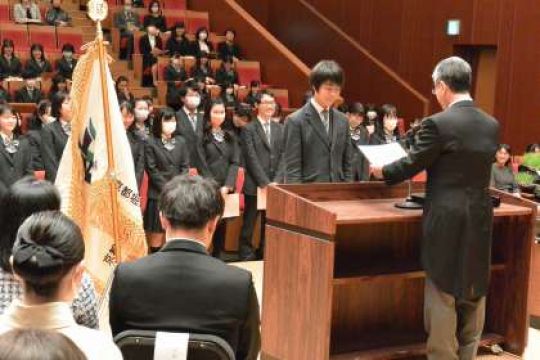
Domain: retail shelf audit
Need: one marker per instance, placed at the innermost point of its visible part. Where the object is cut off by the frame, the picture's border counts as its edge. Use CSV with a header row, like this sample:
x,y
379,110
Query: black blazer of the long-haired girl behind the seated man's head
x,y
222,160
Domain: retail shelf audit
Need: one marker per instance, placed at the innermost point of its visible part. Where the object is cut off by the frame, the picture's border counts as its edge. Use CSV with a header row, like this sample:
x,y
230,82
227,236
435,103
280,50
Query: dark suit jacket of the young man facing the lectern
x,y
311,155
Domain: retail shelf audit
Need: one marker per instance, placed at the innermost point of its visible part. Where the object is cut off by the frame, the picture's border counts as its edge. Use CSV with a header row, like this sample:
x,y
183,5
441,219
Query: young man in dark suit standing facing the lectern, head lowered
x,y
318,146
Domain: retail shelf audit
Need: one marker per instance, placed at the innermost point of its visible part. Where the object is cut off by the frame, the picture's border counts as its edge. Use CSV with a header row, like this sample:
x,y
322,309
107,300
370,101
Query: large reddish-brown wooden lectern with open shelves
x,y
343,280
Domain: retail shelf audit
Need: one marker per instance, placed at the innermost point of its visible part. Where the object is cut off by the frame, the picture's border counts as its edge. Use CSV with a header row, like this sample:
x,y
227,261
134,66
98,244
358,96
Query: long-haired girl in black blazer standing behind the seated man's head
x,y
221,158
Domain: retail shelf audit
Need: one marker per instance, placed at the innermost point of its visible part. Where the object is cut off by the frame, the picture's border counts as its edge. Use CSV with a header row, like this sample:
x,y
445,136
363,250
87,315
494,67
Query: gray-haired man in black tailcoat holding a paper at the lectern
x,y
456,147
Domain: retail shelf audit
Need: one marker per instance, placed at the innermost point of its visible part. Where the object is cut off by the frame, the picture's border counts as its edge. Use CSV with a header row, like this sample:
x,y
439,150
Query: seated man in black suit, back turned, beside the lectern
x,y
181,288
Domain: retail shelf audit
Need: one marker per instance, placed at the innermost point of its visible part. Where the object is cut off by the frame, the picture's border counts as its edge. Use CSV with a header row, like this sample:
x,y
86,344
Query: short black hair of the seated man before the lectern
x,y
190,202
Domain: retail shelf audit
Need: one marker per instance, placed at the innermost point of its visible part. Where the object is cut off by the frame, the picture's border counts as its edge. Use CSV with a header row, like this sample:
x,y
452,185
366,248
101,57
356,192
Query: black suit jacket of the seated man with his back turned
x,y
183,289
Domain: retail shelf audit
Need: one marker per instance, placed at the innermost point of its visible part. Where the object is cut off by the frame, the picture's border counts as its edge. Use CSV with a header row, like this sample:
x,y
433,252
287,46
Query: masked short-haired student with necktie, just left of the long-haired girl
x,y
190,124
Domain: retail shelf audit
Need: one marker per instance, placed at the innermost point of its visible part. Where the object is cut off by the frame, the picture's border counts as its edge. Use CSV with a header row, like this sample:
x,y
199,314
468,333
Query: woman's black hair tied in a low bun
x,y
47,246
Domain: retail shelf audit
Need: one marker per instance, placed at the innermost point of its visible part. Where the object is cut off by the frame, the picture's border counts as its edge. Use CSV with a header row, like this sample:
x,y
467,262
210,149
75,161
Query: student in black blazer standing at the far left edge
x,y
15,151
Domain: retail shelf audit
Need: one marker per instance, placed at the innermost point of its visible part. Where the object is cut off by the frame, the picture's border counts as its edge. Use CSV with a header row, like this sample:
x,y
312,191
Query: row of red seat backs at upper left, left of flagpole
x,y
52,38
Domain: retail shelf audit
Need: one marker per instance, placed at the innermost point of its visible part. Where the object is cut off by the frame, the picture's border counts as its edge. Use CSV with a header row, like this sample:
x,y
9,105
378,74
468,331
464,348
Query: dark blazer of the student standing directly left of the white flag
x,y
53,142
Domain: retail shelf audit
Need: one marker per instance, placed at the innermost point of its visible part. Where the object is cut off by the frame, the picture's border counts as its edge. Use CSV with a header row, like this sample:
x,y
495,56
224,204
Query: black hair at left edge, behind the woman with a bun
x,y
25,197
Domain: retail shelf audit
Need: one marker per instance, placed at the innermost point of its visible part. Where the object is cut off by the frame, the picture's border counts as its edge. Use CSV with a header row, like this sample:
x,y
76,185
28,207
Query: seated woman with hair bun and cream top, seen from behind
x,y
47,257
